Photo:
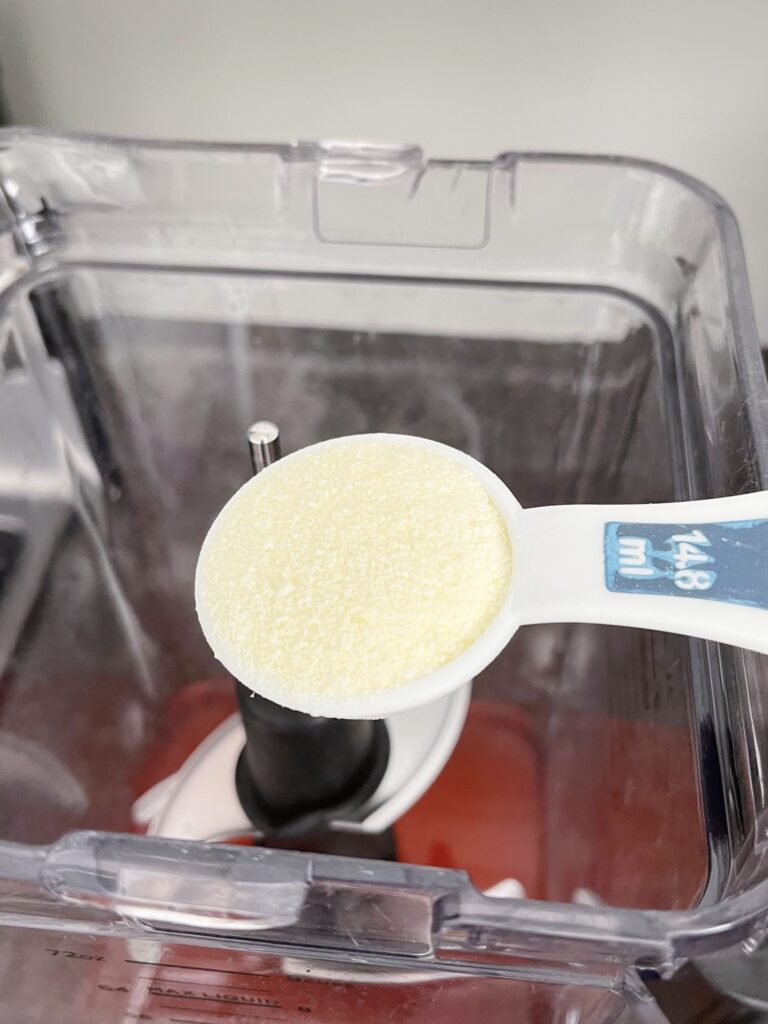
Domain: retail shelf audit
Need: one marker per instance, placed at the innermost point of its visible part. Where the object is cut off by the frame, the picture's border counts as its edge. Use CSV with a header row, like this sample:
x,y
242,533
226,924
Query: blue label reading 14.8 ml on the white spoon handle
x,y
719,562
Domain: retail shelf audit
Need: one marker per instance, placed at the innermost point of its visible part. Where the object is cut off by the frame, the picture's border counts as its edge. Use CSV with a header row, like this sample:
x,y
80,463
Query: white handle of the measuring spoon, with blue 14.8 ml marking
x,y
699,569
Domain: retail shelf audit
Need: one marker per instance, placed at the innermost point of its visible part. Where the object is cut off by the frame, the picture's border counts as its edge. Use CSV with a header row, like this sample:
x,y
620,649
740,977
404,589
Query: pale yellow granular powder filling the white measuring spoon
x,y
353,569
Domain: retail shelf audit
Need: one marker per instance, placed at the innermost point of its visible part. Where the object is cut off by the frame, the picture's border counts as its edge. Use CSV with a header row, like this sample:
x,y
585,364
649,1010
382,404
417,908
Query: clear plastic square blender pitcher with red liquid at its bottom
x,y
580,325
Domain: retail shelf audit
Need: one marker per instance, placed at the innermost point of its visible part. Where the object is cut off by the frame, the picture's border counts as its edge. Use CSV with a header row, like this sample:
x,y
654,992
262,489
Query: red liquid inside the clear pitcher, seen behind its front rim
x,y
487,813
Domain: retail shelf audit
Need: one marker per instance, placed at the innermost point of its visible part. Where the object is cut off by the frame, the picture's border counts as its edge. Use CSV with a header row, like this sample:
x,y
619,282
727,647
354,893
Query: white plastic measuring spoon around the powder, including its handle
x,y
698,569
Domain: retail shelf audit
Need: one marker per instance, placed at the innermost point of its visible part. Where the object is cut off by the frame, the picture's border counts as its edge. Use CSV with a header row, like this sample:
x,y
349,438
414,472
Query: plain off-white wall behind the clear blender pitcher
x,y
681,81
